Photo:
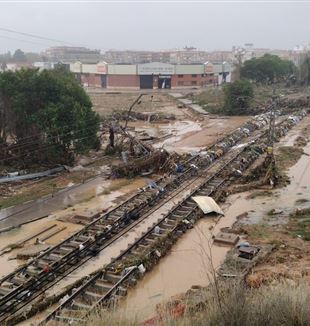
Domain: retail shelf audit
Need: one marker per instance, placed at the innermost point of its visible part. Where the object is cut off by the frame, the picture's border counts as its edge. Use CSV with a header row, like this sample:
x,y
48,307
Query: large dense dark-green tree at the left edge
x,y
50,107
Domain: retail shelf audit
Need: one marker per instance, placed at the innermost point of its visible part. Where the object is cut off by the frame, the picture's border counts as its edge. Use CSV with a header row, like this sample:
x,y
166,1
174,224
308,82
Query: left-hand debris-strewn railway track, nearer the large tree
x,y
23,285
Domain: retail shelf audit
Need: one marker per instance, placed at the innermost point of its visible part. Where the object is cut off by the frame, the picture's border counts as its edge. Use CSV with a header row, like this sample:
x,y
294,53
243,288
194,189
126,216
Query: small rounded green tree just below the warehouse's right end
x,y
238,97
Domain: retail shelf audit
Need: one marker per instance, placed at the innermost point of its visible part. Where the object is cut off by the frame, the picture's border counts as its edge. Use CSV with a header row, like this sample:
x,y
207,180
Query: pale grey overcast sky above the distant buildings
x,y
156,25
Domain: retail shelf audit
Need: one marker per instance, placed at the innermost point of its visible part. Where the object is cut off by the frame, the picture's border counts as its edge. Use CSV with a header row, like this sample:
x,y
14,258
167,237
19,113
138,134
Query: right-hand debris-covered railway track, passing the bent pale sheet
x,y
108,285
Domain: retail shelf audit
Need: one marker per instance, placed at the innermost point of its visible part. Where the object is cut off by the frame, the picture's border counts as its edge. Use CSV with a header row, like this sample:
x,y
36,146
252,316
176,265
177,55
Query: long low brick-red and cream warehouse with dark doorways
x,y
153,75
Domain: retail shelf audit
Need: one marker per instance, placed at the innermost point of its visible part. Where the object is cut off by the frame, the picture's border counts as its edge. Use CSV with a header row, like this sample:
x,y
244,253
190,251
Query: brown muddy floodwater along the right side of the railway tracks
x,y
195,255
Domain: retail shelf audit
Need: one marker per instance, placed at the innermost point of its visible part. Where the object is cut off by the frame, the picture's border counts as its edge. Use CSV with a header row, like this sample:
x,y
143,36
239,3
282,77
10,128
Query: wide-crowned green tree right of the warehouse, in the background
x,y
267,69
